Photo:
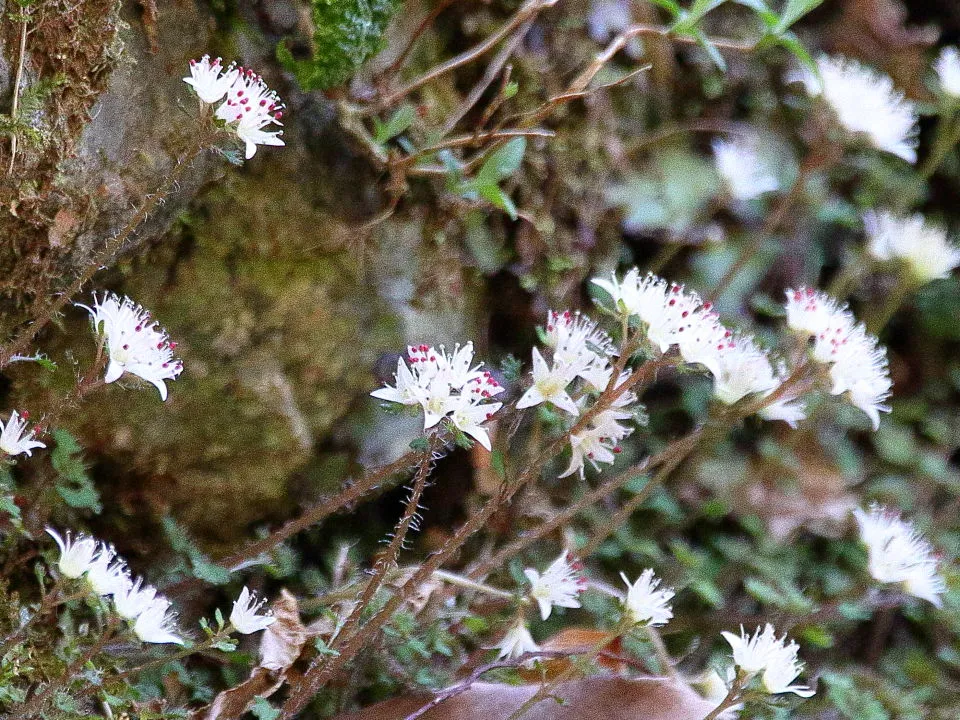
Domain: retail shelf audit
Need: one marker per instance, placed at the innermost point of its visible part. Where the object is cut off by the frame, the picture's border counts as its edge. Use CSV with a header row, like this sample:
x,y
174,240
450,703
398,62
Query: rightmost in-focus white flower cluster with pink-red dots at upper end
x,y
858,364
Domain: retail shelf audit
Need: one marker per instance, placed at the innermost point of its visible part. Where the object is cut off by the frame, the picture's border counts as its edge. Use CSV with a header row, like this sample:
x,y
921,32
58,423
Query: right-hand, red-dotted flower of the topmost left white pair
x,y
251,106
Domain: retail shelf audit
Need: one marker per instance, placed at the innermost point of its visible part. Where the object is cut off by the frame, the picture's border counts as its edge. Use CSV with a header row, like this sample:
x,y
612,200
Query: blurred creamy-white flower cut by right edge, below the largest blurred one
x,y
924,248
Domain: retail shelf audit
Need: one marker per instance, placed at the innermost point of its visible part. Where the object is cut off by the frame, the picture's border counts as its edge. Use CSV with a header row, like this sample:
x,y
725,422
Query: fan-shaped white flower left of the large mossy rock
x,y
135,344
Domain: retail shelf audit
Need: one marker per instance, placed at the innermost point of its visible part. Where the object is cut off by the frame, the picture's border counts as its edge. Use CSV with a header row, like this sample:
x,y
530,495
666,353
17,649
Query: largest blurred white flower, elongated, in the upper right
x,y
866,101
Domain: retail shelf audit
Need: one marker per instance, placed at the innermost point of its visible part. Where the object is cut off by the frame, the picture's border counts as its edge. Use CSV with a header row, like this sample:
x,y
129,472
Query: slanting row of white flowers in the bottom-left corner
x,y
108,576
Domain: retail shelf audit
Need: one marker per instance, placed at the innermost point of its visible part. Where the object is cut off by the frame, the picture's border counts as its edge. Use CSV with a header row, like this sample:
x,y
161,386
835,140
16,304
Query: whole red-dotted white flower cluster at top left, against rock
x,y
250,105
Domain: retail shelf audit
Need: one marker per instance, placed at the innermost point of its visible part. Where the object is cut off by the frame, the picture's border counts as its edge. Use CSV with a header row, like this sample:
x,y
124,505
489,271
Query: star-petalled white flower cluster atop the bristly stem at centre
x,y
445,385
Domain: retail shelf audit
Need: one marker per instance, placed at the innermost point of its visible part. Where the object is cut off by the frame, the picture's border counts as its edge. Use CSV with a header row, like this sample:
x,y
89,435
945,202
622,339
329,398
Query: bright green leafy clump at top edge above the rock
x,y
345,34
